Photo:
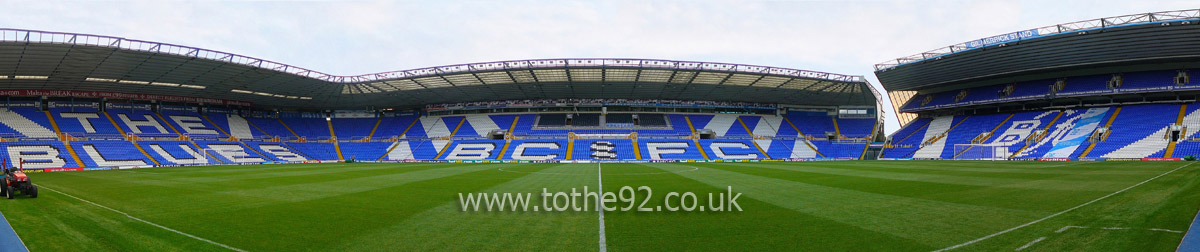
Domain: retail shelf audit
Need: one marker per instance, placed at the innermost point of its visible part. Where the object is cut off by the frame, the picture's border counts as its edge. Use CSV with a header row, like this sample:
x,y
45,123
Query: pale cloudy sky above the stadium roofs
x,y
358,38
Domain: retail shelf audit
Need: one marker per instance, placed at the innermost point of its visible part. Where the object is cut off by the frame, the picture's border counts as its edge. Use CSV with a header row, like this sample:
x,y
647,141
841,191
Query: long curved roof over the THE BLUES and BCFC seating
x,y
50,61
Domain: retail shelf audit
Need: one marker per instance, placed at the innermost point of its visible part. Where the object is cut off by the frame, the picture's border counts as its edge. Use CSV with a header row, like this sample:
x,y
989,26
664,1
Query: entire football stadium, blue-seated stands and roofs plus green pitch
x,y
1070,137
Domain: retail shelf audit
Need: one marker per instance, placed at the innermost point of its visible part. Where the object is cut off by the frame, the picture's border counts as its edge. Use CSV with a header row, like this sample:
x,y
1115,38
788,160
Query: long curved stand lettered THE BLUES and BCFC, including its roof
x,y
77,101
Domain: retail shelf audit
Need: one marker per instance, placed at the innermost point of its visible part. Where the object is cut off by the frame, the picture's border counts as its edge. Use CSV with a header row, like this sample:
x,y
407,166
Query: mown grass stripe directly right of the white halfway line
x,y
760,227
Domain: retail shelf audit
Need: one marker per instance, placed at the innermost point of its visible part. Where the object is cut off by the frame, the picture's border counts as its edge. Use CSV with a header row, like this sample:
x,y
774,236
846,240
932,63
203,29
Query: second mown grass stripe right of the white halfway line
x,y
902,217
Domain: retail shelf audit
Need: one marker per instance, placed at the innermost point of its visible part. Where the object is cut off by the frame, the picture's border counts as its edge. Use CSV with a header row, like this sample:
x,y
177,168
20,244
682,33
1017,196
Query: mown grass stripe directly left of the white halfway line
x,y
448,229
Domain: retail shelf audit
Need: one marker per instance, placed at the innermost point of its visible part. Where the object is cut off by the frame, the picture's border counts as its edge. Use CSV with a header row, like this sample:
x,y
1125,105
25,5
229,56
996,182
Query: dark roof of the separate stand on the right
x,y
1133,43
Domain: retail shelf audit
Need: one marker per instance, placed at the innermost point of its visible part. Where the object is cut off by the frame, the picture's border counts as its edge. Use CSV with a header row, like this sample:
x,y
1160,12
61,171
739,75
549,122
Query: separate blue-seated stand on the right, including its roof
x,y
1120,88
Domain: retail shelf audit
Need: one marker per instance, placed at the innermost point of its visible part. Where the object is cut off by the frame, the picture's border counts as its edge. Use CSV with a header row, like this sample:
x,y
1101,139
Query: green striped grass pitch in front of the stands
x,y
871,206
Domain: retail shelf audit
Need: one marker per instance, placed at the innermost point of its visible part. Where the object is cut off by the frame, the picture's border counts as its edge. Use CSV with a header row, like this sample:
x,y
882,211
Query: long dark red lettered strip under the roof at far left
x,y
119,95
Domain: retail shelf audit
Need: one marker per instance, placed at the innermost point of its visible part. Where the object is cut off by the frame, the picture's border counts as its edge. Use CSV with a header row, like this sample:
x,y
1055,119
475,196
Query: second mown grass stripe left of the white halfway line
x,y
350,212
